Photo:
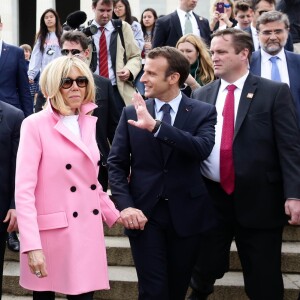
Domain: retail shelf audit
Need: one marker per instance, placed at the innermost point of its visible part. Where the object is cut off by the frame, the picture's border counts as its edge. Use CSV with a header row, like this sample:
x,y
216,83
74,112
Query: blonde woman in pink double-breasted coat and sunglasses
x,y
60,204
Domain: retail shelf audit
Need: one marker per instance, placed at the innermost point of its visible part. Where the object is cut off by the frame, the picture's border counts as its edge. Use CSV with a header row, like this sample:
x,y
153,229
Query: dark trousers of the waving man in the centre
x,y
164,261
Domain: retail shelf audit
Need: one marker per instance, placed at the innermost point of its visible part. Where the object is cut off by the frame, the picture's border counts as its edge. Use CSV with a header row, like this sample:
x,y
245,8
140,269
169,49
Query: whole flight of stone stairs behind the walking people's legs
x,y
123,279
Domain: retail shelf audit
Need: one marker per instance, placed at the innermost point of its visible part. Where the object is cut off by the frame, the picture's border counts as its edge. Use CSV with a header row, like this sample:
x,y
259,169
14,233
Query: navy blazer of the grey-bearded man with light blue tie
x,y
293,66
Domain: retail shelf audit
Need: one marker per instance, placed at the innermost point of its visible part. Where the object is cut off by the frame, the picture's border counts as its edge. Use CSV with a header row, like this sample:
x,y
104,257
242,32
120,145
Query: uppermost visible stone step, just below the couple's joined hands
x,y
290,233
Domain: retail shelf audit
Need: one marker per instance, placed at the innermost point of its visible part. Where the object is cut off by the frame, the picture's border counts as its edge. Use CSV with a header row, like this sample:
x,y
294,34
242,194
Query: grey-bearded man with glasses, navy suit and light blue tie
x,y
273,28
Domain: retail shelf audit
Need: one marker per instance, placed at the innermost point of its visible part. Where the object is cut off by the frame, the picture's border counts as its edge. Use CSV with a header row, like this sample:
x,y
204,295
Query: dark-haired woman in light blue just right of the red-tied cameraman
x,y
122,11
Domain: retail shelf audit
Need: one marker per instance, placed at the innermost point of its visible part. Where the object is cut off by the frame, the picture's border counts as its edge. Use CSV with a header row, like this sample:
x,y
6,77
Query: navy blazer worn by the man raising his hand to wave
x,y
140,172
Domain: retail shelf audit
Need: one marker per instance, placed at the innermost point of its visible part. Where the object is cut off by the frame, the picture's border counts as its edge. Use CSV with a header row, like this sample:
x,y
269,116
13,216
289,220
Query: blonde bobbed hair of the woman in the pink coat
x,y
52,75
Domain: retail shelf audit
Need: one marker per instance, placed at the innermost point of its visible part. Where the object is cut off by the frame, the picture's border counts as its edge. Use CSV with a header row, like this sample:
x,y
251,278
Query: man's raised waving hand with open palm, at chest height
x,y
145,120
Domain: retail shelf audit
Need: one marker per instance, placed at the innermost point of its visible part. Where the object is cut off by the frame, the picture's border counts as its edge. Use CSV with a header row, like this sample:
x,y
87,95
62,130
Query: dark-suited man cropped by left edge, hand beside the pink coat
x,y
10,123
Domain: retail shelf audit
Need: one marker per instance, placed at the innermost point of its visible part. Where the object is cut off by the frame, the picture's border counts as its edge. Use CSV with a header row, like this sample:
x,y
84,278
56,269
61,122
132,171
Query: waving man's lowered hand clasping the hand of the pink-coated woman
x,y
133,218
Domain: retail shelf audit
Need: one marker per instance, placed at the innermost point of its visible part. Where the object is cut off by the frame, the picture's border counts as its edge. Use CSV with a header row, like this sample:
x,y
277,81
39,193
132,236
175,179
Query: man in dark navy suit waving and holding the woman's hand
x,y
154,174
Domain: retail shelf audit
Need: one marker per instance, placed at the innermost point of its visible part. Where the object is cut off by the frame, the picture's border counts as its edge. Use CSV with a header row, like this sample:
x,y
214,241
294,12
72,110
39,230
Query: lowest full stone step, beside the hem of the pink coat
x,y
123,282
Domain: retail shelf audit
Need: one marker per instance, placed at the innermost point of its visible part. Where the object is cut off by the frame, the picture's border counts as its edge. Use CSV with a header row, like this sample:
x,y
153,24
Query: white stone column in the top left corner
x,y
10,20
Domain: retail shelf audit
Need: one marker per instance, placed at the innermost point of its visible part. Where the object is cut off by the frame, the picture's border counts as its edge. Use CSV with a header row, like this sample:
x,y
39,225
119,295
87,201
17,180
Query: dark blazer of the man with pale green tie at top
x,y
168,30
